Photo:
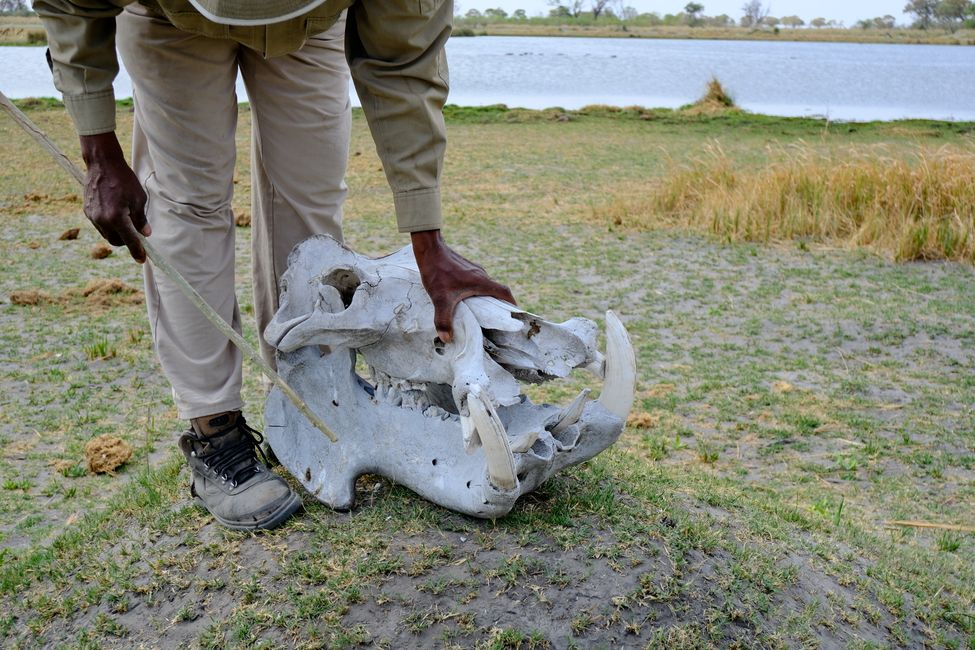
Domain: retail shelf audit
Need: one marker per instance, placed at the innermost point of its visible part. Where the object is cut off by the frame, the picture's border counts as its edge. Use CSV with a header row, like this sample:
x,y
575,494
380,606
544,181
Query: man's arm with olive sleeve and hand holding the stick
x,y
81,41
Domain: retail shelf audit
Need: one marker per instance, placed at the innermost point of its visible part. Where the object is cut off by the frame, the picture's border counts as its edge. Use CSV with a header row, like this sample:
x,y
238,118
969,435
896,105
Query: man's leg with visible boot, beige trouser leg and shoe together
x,y
184,151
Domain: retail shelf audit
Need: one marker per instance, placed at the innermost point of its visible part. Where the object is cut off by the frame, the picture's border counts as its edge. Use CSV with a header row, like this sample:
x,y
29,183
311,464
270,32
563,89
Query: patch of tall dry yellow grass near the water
x,y
916,207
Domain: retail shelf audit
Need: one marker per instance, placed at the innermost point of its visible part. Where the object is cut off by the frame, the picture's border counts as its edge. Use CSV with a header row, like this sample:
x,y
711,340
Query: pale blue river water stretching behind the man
x,y
843,81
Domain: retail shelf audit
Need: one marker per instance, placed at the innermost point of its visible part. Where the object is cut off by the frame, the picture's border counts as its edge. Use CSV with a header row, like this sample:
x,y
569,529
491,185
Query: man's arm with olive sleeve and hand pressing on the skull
x,y
396,55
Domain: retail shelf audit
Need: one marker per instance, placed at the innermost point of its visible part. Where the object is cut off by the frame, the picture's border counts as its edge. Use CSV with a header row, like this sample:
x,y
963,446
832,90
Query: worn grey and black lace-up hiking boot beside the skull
x,y
229,479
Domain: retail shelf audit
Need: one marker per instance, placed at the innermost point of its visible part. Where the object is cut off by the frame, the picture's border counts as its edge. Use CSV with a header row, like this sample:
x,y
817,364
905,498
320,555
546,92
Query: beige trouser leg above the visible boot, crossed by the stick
x,y
184,153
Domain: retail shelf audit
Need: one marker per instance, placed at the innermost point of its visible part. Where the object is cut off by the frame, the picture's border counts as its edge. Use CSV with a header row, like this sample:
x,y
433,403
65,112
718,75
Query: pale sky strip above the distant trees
x,y
845,10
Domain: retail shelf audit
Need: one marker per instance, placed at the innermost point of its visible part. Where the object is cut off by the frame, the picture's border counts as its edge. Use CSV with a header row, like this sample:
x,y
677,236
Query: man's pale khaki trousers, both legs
x,y
184,151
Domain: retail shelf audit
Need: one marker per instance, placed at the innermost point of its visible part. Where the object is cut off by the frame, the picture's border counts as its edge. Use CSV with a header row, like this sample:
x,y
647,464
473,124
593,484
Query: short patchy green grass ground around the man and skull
x,y
797,397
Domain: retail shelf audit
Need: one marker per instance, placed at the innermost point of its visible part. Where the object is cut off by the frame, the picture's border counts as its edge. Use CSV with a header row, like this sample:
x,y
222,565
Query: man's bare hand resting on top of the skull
x,y
449,278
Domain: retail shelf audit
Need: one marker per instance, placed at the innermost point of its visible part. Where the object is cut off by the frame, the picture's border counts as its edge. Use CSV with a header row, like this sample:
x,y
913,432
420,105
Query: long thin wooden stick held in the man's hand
x,y
163,265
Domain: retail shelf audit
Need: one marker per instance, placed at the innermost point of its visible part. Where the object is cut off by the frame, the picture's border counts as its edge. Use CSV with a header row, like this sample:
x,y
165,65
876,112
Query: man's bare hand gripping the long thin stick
x,y
114,200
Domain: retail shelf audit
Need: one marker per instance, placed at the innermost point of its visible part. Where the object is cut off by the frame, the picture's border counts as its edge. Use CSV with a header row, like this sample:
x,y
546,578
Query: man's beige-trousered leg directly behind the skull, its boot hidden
x,y
300,147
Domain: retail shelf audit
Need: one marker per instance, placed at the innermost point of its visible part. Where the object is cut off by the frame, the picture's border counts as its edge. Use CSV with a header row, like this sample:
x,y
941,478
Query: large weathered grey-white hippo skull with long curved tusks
x,y
446,420
